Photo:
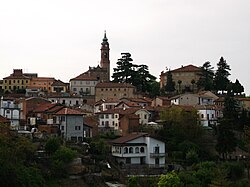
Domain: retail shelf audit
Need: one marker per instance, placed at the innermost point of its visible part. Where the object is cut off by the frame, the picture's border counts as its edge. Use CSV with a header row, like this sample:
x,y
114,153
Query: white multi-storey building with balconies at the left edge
x,y
11,110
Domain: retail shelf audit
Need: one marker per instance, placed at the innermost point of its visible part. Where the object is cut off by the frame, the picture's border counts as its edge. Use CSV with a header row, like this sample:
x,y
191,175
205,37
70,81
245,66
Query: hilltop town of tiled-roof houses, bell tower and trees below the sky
x,y
127,127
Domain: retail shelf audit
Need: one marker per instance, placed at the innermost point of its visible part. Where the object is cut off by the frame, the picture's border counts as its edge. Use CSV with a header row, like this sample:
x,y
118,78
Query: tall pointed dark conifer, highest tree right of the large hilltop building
x,y
221,80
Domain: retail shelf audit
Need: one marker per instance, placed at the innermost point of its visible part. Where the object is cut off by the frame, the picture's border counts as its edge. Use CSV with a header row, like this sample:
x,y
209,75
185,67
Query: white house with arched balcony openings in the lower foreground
x,y
139,148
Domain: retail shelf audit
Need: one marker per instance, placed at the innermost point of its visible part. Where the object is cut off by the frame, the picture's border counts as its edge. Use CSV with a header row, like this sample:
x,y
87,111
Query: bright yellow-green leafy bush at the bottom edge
x,y
170,180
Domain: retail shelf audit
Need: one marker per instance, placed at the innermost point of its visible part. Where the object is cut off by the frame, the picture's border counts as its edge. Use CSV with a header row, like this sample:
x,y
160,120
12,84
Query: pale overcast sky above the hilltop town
x,y
62,38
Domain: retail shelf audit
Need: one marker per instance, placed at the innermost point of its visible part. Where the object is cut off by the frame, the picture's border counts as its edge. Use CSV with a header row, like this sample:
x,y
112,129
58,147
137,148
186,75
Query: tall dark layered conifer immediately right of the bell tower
x,y
125,69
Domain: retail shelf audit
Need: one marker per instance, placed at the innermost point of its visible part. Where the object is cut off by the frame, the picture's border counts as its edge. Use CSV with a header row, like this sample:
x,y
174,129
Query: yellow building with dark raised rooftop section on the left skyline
x,y
16,81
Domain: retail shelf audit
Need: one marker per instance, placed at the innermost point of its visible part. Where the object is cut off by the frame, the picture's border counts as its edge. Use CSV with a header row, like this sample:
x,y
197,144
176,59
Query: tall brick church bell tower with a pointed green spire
x,y
105,62
